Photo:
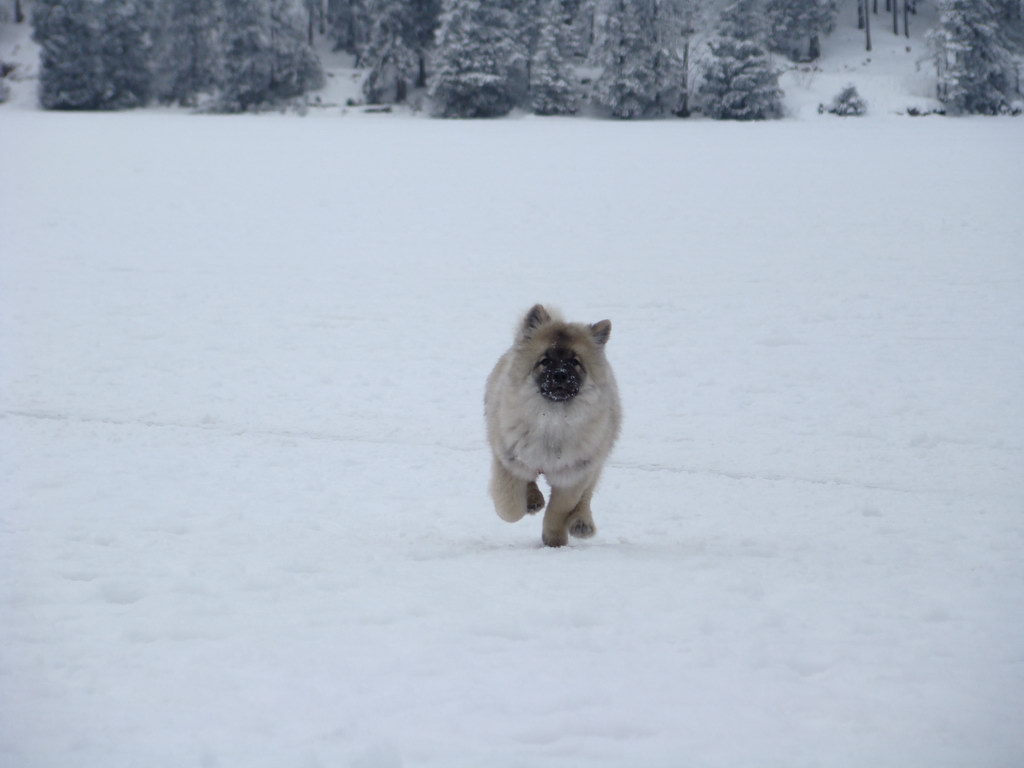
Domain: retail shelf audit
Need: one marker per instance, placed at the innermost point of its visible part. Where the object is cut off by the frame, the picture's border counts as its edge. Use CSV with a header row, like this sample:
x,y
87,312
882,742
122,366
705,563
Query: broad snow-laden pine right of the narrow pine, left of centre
x,y
477,50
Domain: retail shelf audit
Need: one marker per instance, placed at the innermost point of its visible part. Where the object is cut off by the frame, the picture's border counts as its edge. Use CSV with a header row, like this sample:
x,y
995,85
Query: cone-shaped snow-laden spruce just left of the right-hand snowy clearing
x,y
740,81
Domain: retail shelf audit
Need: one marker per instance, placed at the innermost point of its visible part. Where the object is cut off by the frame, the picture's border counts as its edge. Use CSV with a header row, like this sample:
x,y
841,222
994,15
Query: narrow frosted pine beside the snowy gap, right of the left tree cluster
x,y
391,54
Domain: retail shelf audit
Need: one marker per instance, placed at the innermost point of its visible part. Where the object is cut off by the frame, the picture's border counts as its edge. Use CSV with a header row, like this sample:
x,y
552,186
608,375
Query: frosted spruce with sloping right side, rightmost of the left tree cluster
x,y
267,58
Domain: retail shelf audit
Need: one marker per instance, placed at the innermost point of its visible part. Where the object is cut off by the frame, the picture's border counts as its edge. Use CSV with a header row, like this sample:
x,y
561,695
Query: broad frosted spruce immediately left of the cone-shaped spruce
x,y
641,73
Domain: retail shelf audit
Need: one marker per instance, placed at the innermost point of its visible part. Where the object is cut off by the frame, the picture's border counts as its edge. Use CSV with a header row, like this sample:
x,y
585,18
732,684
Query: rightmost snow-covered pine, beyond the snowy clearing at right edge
x,y
973,61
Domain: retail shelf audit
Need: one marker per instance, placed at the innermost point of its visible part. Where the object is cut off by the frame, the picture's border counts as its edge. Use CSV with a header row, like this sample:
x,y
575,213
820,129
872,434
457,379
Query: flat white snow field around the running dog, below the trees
x,y
244,520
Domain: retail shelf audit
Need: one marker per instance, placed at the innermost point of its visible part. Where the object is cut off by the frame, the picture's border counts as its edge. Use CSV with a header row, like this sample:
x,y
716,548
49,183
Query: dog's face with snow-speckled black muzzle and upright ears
x,y
563,354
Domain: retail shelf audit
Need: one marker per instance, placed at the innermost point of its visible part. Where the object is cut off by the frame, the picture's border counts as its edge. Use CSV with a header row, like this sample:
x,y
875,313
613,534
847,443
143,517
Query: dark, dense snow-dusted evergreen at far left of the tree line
x,y
95,54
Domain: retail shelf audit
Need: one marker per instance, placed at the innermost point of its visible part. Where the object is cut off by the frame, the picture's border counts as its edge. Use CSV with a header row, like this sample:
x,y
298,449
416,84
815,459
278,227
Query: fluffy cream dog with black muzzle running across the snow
x,y
552,408
